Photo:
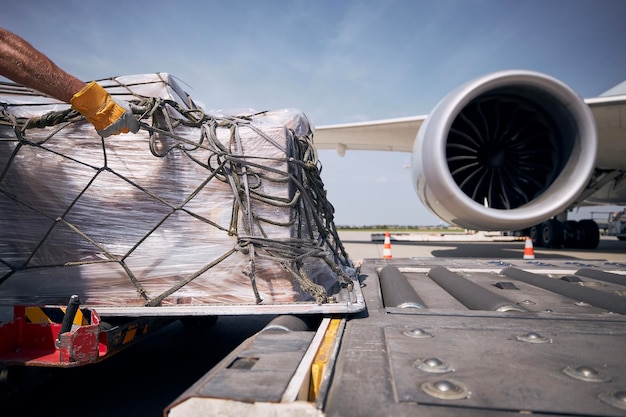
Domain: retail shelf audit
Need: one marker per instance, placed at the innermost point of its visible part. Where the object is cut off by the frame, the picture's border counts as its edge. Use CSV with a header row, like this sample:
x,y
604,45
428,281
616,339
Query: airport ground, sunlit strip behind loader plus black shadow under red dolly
x,y
144,379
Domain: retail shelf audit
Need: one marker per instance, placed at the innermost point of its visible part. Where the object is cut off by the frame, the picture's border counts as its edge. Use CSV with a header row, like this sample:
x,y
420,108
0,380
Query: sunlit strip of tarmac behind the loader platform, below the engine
x,y
359,246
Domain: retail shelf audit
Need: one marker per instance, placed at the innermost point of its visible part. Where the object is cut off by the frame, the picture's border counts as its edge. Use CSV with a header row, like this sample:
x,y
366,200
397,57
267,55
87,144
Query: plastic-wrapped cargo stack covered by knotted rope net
x,y
193,209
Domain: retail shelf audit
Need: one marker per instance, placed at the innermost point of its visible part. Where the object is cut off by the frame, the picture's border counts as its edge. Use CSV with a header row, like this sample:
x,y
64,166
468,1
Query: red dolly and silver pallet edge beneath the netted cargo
x,y
58,336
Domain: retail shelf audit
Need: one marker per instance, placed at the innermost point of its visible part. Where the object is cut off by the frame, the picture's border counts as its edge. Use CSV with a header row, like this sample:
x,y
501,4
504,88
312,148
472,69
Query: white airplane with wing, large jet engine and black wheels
x,y
508,151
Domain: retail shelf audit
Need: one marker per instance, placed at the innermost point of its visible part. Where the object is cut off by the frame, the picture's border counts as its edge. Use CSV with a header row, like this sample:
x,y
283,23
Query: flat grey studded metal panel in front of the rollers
x,y
500,371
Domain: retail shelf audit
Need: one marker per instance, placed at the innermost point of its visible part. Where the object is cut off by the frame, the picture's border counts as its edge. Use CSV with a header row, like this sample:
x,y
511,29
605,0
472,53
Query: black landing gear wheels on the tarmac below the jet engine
x,y
583,234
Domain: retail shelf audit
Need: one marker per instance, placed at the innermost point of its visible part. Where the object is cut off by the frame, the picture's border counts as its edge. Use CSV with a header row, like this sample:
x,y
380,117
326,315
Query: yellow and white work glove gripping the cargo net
x,y
107,115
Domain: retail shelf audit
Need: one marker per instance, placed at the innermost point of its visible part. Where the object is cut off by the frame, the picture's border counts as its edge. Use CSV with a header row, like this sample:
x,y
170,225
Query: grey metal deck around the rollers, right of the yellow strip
x,y
383,365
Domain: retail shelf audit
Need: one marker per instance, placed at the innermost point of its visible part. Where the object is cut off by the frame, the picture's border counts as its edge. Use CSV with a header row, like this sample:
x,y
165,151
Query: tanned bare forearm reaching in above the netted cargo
x,y
22,63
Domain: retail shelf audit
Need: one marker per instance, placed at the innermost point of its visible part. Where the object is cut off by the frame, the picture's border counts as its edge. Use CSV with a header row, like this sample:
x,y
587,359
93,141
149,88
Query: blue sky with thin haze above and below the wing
x,y
337,61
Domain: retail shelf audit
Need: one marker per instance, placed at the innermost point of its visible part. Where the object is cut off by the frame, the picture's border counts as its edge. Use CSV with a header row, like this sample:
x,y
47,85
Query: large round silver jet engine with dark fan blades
x,y
505,151
